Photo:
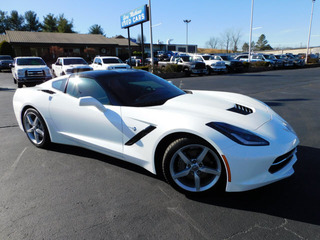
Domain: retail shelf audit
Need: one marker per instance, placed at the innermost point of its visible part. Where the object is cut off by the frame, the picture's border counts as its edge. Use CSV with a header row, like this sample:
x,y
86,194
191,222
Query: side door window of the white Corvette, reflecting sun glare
x,y
83,87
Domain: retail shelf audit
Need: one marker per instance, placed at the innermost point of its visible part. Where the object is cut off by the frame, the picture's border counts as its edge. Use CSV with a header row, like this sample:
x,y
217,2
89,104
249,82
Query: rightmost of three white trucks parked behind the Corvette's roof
x,y
108,63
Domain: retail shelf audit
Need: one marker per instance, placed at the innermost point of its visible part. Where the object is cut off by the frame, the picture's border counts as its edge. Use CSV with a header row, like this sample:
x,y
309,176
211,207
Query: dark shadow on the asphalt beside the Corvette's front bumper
x,y
296,198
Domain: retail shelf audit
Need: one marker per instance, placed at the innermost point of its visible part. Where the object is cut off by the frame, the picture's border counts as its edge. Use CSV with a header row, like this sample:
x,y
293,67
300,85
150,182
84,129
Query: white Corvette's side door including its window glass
x,y
88,126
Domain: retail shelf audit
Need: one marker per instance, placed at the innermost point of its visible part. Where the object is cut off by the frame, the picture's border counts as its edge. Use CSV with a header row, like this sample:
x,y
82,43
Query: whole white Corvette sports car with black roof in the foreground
x,y
198,140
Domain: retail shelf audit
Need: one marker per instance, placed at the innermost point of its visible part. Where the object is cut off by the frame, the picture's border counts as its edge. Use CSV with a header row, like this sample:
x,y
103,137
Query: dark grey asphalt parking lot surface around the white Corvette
x,y
72,193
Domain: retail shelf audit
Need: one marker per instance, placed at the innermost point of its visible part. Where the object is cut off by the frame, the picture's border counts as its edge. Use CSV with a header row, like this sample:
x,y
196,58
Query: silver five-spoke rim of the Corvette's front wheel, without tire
x,y
195,168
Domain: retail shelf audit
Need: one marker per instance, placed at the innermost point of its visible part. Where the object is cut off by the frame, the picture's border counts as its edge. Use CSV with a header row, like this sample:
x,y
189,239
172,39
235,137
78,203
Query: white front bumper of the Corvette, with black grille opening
x,y
253,167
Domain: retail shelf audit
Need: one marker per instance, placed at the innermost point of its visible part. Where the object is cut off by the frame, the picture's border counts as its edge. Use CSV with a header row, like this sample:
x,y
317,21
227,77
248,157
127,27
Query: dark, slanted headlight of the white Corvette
x,y
239,135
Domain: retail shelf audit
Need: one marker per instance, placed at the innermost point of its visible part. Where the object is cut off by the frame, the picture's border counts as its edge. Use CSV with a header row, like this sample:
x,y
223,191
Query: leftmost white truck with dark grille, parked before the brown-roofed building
x,y
30,71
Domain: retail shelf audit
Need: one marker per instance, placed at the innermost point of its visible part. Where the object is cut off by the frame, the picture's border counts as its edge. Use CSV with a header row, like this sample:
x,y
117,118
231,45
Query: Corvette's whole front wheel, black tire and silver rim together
x,y
191,166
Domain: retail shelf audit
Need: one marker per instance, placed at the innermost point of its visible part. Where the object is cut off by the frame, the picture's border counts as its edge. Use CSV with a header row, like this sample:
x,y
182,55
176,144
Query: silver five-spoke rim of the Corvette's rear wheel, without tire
x,y
34,127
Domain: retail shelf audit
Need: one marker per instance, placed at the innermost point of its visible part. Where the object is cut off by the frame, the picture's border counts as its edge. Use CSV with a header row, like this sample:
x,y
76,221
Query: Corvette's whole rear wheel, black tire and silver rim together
x,y
35,128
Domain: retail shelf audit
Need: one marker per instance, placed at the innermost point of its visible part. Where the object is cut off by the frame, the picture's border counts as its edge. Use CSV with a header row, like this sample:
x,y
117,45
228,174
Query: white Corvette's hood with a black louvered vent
x,y
232,108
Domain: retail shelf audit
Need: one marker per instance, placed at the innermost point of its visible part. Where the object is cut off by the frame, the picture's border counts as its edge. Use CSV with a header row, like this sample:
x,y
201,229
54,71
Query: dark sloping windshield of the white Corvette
x,y
139,89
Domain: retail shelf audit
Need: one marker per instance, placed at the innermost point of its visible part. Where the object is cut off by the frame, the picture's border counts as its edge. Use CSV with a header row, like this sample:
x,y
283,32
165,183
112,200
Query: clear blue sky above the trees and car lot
x,y
285,23
